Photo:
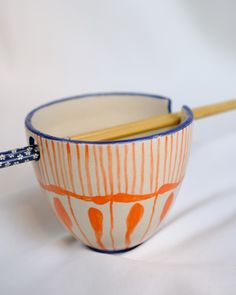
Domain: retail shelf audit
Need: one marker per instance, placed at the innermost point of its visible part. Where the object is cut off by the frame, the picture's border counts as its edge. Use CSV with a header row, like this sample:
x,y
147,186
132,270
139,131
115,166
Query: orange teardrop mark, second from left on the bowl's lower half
x,y
96,220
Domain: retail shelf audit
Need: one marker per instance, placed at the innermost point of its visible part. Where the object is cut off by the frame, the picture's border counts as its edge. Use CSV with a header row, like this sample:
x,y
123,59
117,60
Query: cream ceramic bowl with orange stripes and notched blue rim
x,y
109,195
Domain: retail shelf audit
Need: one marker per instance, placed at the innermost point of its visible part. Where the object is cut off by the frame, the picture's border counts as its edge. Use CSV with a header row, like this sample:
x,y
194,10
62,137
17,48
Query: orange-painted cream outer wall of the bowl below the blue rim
x,y
142,175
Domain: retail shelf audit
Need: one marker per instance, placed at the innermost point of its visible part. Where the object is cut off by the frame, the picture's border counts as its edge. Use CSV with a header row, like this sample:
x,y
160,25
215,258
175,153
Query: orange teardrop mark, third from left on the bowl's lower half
x,y
133,218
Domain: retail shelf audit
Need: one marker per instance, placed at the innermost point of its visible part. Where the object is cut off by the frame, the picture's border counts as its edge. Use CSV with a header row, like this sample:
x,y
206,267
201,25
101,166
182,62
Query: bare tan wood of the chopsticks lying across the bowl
x,y
154,123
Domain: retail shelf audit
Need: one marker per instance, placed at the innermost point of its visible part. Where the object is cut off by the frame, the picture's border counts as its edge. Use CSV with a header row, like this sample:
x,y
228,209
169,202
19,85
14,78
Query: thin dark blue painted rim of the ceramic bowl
x,y
30,127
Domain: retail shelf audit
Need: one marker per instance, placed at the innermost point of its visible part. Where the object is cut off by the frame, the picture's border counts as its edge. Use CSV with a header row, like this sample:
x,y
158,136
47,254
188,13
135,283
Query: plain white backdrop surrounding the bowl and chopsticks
x,y
182,49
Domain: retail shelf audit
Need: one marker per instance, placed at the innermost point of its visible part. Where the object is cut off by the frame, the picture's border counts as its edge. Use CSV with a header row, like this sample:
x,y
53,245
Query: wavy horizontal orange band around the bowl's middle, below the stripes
x,y
120,197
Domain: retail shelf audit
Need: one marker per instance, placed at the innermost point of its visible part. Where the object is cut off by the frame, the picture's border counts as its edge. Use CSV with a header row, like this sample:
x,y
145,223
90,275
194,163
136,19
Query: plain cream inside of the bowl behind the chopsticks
x,y
81,114
